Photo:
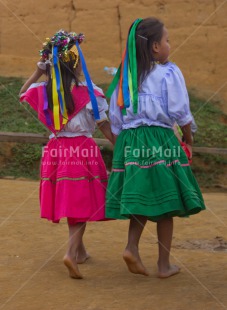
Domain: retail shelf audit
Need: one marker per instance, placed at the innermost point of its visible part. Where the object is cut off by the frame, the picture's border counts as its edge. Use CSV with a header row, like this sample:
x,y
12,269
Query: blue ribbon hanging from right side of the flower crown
x,y
89,84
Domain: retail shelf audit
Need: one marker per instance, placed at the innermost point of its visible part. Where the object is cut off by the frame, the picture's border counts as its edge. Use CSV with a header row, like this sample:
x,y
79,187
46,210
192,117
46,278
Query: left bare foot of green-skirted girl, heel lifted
x,y
134,263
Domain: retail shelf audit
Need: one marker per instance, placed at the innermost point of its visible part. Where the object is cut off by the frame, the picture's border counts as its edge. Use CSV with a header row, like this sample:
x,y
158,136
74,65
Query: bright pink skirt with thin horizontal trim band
x,y
73,180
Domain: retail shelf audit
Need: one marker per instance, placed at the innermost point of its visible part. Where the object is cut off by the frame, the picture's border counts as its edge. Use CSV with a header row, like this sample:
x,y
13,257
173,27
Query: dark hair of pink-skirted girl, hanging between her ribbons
x,y
68,74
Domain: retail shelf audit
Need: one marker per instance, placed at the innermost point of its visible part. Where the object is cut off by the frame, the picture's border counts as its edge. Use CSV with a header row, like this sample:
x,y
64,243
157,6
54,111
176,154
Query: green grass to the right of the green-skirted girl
x,y
209,169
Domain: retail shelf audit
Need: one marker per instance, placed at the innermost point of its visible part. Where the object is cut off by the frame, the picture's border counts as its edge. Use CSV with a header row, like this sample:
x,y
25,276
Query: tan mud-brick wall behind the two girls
x,y
197,28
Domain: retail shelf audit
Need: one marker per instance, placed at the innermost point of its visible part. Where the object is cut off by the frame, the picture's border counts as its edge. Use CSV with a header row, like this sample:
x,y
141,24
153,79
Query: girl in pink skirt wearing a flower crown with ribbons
x,y
73,174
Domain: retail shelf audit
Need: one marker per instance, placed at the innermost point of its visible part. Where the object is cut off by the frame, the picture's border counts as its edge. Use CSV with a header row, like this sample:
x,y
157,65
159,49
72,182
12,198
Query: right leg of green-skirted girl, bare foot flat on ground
x,y
165,233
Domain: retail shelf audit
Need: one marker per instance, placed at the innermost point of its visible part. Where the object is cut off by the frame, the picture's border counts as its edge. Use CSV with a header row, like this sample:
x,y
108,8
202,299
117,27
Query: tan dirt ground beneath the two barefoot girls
x,y
32,275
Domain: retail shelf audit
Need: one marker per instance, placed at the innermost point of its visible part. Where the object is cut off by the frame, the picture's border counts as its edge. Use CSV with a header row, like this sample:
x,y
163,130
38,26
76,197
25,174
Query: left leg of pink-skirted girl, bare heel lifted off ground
x,y
76,232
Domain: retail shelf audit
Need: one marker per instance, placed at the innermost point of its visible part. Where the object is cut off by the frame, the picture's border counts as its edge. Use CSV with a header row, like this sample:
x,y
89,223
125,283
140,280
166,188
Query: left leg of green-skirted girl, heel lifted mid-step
x,y
131,253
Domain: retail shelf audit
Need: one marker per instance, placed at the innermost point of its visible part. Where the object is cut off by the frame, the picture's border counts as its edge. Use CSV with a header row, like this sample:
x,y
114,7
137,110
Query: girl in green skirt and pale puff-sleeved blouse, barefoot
x,y
151,178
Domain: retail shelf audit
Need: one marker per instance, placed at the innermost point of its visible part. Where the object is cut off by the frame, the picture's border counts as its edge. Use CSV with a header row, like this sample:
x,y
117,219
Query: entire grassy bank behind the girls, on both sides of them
x,y
24,158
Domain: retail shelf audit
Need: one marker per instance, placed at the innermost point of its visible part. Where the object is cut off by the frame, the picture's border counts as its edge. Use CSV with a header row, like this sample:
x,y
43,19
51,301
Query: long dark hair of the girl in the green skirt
x,y
151,29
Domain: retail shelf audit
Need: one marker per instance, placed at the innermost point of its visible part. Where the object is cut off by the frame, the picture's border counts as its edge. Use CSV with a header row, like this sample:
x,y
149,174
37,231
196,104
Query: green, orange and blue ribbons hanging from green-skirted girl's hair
x,y
126,75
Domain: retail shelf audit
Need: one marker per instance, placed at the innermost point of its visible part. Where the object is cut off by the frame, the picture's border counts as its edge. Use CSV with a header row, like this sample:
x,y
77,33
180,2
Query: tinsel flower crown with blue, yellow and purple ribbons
x,y
59,48
